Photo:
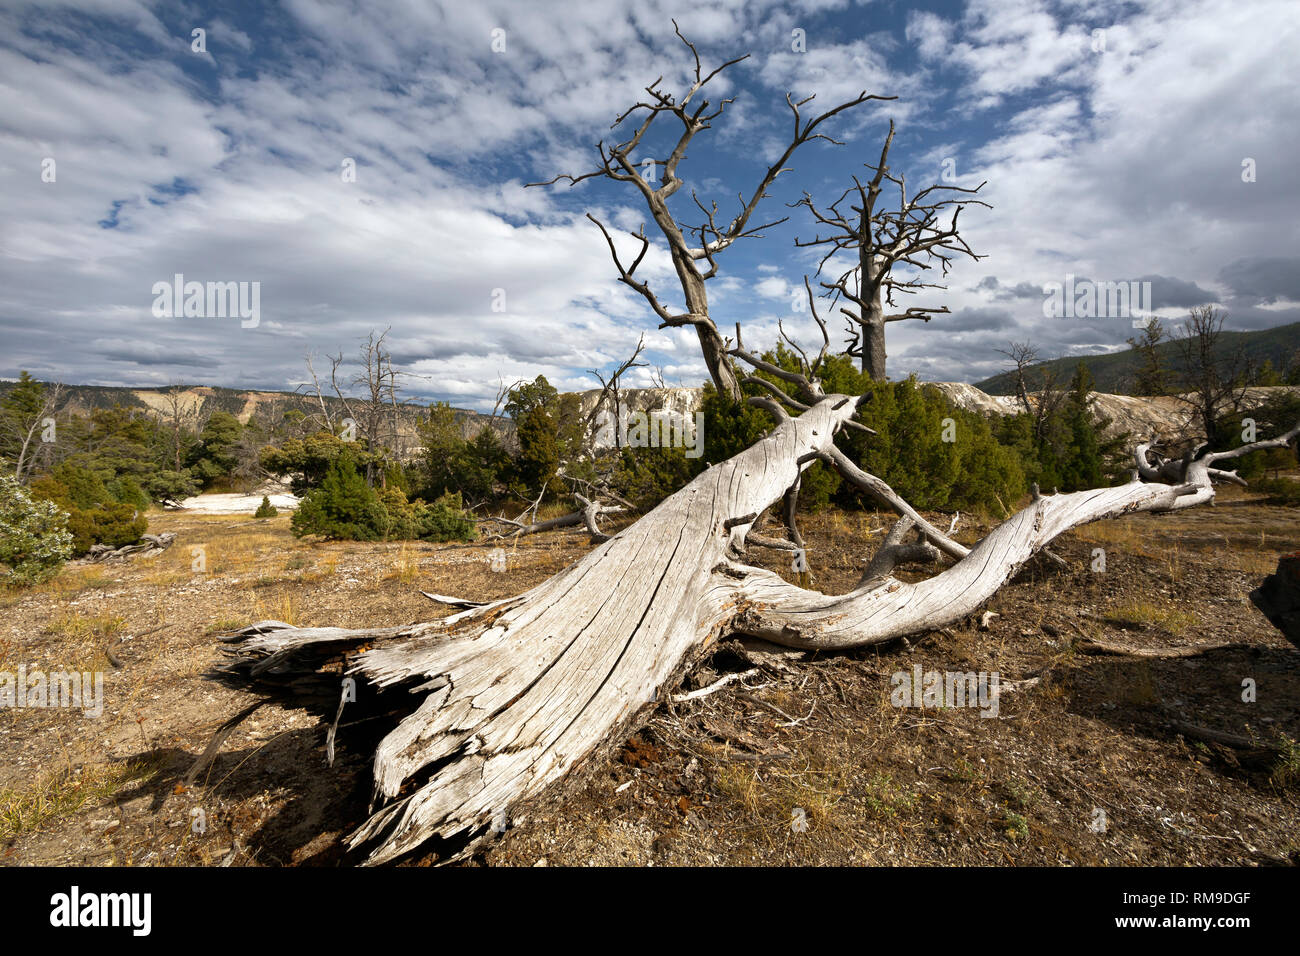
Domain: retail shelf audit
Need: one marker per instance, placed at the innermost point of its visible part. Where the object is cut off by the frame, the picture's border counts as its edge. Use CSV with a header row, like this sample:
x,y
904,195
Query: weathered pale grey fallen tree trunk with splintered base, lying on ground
x,y
497,706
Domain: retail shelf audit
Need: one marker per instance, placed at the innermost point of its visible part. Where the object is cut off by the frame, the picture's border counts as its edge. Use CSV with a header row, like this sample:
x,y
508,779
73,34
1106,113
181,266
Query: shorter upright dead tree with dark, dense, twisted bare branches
x,y
882,237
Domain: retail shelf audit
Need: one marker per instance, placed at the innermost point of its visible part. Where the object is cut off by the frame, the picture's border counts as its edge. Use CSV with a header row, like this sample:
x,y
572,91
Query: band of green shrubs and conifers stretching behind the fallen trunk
x,y
106,469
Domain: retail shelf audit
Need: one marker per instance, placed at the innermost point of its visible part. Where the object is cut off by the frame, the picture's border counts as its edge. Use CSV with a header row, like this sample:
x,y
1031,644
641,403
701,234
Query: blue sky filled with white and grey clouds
x,y
1117,140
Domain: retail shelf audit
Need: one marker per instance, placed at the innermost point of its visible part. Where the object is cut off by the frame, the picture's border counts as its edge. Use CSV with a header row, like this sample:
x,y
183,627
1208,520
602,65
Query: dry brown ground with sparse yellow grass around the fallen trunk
x,y
803,763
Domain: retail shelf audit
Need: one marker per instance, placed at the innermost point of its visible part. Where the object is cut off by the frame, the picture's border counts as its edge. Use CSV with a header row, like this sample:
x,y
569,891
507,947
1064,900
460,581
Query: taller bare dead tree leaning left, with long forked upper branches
x,y
692,248
